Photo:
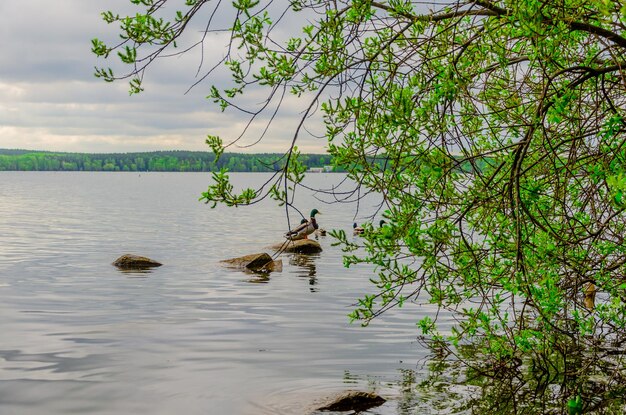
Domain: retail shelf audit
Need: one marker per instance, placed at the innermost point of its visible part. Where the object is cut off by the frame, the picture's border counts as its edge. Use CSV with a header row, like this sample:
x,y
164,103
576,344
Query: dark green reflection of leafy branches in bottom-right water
x,y
572,380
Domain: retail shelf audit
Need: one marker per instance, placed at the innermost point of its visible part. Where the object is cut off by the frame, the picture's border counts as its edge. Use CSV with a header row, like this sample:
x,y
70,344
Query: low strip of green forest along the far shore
x,y
174,161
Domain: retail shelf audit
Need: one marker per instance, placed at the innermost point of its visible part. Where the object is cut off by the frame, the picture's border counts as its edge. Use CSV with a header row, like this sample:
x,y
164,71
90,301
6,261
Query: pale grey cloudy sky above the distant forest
x,y
50,100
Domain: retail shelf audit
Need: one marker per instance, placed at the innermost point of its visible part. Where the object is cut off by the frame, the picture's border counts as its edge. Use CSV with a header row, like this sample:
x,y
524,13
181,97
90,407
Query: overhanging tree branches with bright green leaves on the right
x,y
529,95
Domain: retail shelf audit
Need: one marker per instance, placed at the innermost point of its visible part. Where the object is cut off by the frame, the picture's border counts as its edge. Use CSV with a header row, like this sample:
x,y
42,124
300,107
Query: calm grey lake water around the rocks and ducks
x,y
80,337
